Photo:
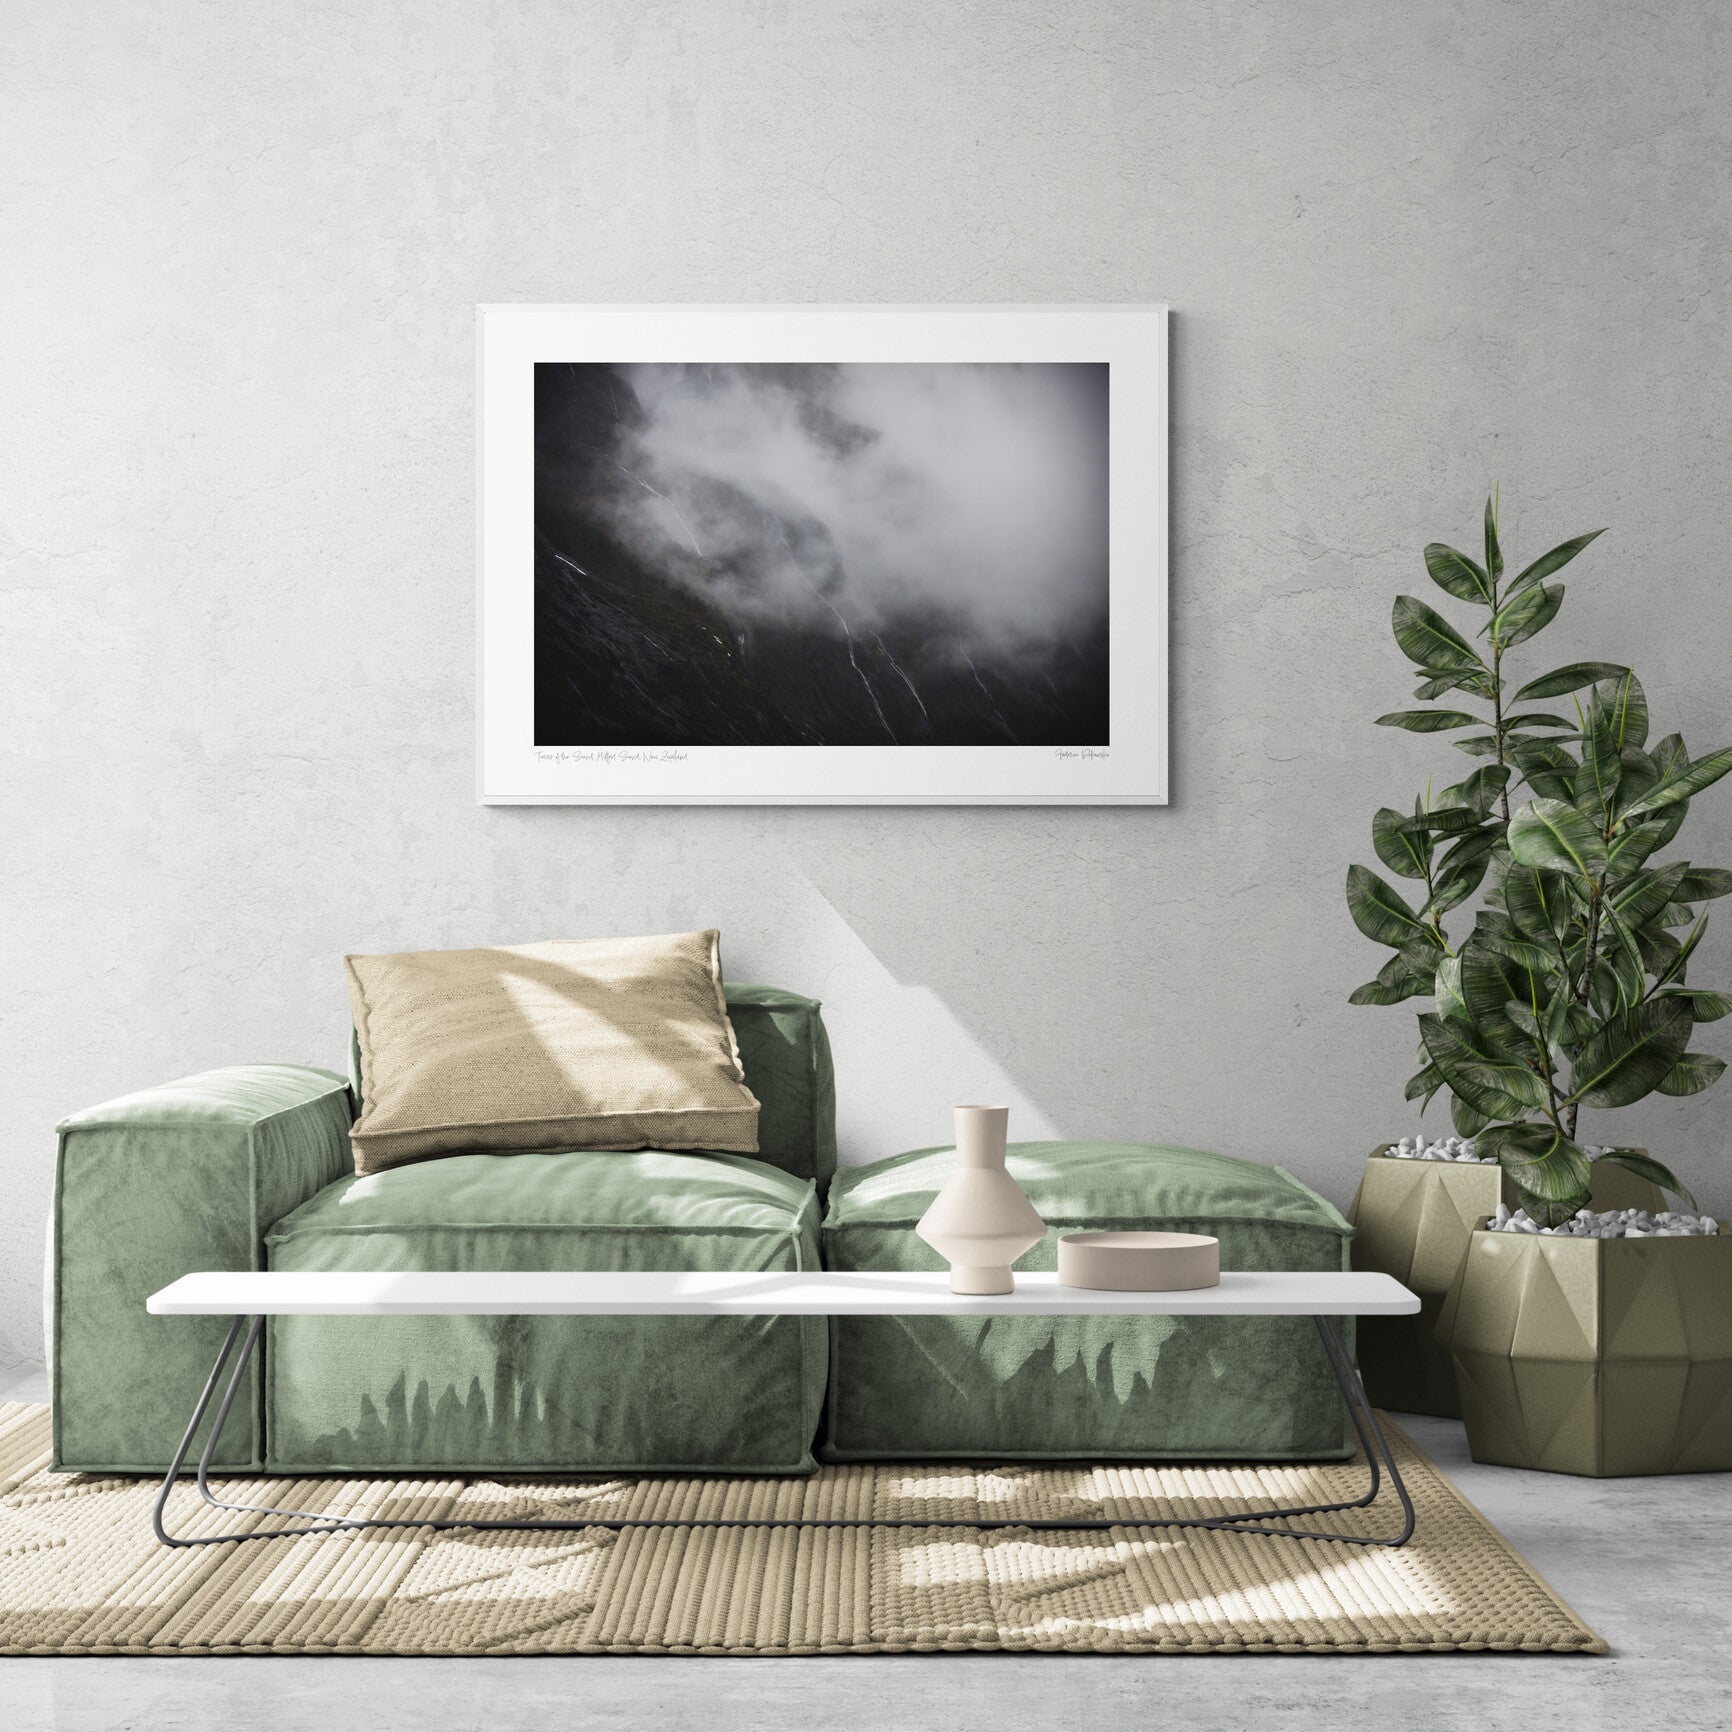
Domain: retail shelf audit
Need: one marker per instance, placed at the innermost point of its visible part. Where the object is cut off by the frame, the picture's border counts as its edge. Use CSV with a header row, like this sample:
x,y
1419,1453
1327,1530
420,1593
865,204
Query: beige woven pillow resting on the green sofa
x,y
607,1044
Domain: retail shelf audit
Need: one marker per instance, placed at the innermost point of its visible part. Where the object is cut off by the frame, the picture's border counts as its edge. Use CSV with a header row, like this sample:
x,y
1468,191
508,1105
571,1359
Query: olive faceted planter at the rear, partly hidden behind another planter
x,y
1414,1220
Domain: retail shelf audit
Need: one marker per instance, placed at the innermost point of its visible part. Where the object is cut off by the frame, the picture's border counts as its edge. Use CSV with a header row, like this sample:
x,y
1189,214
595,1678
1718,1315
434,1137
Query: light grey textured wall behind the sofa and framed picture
x,y
1411,250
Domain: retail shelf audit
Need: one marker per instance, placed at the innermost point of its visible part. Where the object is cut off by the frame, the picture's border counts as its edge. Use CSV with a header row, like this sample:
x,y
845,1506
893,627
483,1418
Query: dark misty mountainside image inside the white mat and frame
x,y
825,555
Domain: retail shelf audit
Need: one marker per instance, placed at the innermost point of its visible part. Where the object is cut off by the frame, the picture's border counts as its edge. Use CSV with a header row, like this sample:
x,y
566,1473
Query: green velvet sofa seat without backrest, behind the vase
x,y
1160,1388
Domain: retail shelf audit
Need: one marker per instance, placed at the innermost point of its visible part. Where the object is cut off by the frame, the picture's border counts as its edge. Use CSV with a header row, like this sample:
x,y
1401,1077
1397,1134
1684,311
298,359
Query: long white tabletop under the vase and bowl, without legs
x,y
540,1293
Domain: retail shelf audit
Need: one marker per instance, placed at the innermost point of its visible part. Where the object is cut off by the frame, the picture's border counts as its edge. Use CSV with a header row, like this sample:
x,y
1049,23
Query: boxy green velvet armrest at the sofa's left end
x,y
150,1187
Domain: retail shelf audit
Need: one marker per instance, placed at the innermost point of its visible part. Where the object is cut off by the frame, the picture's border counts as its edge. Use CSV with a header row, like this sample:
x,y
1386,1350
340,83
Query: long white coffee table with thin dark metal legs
x,y
252,1296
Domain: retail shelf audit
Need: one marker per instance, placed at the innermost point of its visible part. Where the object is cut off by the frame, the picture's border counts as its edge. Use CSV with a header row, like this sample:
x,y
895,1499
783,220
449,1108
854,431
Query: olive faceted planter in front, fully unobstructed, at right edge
x,y
1596,1357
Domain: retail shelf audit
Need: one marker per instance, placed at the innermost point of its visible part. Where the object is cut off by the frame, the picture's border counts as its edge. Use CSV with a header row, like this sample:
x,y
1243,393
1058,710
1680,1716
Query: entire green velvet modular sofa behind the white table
x,y
250,1168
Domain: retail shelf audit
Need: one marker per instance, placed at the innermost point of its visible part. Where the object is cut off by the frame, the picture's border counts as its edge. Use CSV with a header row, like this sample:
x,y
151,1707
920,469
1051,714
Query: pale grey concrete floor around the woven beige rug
x,y
1648,1563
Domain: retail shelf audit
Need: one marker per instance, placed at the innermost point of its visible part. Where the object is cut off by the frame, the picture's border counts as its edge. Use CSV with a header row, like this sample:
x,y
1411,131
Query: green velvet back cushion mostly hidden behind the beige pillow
x,y
785,1056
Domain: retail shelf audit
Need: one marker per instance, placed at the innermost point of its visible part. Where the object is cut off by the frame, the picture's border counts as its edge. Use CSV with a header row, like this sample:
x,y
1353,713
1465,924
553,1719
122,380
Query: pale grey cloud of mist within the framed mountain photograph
x,y
967,500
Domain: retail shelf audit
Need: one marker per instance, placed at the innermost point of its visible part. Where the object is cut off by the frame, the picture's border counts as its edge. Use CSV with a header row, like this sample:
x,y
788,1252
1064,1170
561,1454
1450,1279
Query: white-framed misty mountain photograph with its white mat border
x,y
824,555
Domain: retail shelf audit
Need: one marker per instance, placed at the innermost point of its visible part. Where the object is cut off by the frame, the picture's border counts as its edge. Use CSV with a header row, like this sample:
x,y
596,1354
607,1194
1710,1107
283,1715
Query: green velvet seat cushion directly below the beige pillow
x,y
548,1393
